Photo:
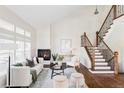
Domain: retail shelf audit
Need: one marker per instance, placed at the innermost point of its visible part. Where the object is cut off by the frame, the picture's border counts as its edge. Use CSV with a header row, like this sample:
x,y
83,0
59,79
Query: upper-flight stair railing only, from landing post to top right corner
x,y
115,12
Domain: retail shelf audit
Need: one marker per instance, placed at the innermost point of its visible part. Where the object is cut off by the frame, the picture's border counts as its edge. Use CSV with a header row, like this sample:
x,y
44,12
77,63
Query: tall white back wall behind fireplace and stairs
x,y
72,27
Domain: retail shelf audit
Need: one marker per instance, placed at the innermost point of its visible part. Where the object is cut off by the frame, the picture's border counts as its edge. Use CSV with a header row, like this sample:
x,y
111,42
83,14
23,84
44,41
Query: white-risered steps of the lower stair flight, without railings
x,y
101,66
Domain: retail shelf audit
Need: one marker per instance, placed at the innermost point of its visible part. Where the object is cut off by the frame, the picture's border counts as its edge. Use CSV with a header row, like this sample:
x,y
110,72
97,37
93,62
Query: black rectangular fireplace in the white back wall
x,y
45,53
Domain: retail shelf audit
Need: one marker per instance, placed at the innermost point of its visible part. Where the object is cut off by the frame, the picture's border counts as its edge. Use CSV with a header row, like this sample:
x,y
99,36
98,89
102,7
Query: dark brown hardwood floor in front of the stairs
x,y
101,80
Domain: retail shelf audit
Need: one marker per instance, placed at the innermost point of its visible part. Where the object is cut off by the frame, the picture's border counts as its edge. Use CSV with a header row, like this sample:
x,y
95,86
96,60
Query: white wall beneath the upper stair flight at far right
x,y
115,40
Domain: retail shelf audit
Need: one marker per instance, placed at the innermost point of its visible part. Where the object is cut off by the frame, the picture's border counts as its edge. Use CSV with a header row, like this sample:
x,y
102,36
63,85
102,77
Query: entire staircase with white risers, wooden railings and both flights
x,y
103,59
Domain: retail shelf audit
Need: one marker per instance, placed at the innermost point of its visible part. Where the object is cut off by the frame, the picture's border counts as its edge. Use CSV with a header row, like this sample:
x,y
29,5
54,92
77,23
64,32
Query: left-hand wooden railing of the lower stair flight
x,y
85,42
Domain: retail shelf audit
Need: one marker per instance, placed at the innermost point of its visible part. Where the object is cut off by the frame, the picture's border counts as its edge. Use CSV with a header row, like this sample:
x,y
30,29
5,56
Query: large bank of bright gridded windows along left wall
x,y
19,37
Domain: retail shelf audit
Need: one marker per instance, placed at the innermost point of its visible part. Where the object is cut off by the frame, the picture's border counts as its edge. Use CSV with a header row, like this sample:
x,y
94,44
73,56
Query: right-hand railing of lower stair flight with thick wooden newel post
x,y
110,56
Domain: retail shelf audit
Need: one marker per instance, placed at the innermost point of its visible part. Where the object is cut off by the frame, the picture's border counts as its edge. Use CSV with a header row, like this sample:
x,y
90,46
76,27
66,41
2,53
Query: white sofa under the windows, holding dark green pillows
x,y
20,76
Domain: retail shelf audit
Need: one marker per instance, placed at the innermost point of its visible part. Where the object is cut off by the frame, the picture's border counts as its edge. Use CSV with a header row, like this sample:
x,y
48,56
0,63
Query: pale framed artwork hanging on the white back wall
x,y
65,45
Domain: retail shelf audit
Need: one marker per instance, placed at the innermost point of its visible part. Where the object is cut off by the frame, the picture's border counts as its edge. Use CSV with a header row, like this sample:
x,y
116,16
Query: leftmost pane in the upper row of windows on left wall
x,y
6,25
